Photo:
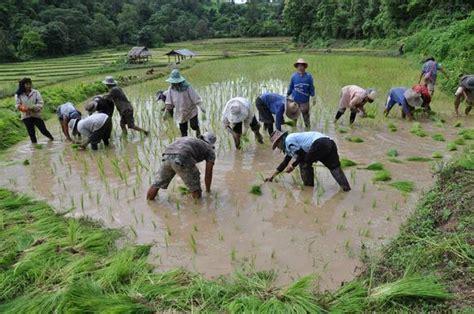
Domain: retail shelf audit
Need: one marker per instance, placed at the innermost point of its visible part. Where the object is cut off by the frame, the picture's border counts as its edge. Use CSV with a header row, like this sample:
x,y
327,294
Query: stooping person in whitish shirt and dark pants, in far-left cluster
x,y
95,128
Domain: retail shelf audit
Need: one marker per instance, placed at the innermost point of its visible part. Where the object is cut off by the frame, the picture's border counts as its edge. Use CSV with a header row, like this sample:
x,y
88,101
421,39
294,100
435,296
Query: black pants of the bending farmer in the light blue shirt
x,y
323,150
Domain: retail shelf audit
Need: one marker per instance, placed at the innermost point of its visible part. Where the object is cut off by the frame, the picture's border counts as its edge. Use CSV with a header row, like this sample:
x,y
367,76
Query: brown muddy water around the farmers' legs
x,y
292,229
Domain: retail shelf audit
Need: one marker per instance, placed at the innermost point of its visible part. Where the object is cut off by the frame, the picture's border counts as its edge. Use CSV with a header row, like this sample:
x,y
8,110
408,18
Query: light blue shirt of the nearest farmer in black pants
x,y
297,145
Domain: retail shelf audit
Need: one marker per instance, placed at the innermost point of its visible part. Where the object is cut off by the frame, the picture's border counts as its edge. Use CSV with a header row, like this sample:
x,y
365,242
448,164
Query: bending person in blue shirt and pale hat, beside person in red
x,y
407,98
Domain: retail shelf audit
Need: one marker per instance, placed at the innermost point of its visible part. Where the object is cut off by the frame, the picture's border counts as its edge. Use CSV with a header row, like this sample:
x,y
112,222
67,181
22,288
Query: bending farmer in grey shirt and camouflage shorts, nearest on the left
x,y
181,157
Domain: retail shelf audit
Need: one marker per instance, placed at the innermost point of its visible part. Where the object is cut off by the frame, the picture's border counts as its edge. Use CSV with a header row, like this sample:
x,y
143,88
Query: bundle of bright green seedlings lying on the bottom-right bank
x,y
412,286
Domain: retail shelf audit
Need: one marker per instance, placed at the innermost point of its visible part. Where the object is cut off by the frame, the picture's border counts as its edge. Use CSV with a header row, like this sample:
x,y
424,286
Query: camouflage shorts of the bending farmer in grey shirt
x,y
182,166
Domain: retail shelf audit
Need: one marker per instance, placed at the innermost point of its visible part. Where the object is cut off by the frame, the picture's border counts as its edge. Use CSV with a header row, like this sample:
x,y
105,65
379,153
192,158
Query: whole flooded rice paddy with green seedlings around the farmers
x,y
285,227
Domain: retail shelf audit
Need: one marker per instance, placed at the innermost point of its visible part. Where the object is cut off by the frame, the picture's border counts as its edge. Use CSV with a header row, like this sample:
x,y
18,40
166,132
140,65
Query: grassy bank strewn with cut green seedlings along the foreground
x,y
52,263
